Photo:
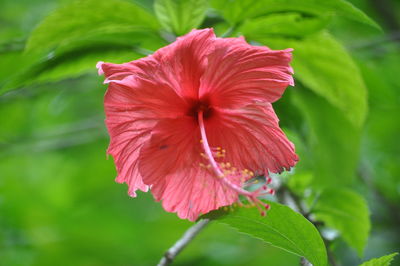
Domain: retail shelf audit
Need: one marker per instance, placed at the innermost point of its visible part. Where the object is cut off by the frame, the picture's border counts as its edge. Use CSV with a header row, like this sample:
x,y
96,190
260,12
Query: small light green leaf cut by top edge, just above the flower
x,y
180,16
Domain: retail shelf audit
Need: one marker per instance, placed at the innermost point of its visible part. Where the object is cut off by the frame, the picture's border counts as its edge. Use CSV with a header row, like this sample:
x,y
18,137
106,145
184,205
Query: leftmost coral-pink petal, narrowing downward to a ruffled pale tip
x,y
133,107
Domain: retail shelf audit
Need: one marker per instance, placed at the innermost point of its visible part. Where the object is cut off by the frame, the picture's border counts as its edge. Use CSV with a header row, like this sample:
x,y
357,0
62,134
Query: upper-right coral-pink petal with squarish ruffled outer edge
x,y
238,73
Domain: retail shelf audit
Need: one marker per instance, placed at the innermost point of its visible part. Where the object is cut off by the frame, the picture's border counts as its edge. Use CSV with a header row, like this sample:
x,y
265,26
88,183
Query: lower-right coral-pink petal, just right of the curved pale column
x,y
252,138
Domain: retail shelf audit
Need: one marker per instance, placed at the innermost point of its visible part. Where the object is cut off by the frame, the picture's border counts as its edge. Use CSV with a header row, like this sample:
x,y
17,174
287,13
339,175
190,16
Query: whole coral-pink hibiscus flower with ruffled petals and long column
x,y
194,121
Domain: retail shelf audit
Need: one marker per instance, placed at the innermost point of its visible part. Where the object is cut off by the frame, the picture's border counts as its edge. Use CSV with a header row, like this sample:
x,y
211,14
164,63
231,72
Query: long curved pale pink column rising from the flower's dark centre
x,y
214,165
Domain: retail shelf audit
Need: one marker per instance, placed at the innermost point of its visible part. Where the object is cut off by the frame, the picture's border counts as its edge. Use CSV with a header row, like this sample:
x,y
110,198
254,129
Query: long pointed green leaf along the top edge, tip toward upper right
x,y
236,11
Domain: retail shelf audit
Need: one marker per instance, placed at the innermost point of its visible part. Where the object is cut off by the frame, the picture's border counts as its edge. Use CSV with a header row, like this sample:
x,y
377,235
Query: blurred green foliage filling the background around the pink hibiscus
x,y
58,202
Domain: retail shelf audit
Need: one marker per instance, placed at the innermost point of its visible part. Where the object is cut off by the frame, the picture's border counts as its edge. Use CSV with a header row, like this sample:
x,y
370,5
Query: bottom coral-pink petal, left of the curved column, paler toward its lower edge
x,y
169,163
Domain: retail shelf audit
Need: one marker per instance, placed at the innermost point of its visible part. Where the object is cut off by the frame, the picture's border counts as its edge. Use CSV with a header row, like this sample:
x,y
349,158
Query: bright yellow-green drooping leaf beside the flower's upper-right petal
x,y
323,65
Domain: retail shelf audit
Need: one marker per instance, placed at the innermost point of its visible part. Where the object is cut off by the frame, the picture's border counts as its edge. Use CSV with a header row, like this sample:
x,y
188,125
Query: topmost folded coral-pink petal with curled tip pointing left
x,y
178,65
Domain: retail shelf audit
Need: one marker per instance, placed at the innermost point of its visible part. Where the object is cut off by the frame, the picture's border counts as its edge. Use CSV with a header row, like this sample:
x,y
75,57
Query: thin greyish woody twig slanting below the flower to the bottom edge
x,y
173,251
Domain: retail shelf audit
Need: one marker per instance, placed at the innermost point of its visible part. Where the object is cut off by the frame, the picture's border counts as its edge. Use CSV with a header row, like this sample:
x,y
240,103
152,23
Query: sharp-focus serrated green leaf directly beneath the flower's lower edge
x,y
282,228
